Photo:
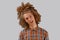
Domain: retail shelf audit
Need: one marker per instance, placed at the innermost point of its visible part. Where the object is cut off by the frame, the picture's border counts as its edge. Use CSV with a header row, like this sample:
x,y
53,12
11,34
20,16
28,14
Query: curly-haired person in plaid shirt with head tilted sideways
x,y
29,19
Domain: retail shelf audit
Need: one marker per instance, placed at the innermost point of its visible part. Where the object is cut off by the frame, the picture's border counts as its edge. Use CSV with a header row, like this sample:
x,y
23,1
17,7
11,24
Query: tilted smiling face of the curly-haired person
x,y
29,18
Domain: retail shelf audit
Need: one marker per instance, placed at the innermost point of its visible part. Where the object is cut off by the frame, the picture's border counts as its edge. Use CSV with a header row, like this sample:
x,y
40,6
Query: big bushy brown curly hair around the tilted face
x,y
25,8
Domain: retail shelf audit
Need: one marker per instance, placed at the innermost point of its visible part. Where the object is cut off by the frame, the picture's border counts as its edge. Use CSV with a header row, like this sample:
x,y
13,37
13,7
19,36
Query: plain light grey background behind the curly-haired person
x,y
49,9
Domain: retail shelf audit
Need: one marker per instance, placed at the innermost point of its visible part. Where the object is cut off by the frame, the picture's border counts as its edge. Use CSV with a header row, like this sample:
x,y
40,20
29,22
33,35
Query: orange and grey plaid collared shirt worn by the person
x,y
36,34
